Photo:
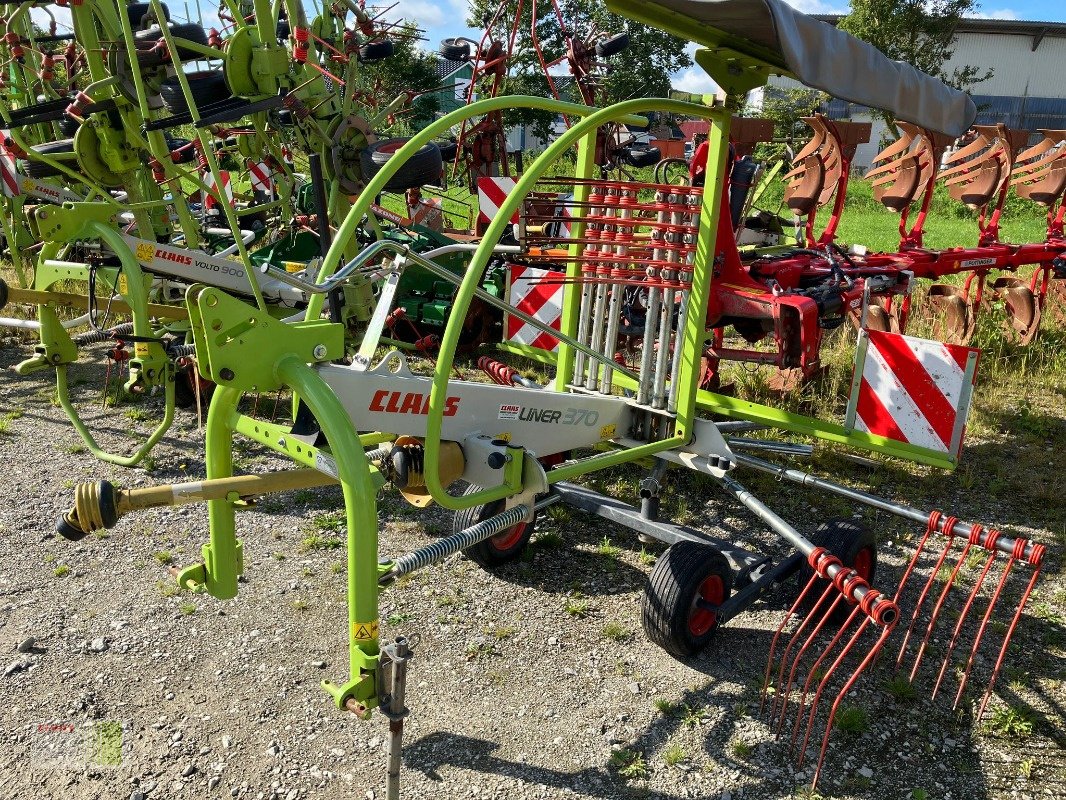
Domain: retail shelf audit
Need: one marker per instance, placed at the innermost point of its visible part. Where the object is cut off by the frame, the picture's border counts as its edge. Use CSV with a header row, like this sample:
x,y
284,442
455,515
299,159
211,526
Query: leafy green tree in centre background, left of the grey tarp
x,y
643,70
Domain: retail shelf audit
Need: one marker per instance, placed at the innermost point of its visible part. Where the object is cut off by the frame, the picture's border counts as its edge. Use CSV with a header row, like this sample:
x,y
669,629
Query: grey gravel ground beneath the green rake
x,y
525,683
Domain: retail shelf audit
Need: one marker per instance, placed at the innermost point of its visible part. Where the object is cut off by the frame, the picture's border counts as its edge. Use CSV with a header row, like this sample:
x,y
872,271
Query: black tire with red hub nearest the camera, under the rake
x,y
685,573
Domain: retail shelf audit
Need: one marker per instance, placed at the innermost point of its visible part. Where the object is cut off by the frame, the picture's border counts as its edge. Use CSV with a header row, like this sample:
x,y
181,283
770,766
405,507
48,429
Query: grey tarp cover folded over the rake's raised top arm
x,y
836,62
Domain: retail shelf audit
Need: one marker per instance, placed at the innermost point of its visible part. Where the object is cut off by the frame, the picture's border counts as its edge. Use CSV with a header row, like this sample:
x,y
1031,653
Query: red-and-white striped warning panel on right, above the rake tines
x,y
913,391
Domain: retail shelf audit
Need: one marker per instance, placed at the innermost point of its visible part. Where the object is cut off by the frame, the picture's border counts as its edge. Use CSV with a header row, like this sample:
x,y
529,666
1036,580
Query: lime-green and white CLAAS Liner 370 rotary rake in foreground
x,y
520,445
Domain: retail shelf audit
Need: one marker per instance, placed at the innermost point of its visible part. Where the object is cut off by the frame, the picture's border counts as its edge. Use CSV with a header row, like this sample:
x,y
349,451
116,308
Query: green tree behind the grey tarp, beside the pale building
x,y
920,33
